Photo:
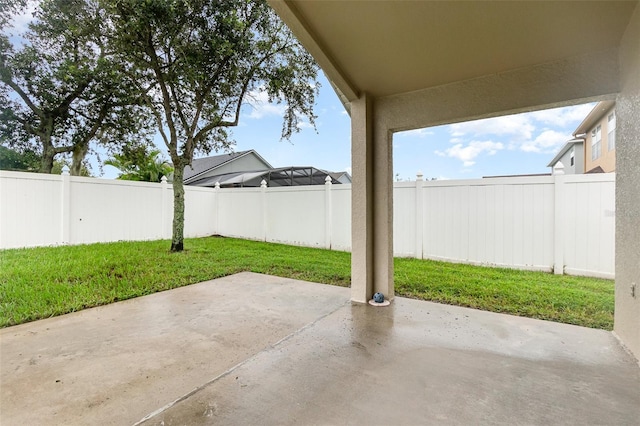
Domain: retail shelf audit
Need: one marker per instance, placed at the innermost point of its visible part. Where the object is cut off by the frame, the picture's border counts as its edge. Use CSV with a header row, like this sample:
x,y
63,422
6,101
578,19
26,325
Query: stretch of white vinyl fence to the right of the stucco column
x,y
564,223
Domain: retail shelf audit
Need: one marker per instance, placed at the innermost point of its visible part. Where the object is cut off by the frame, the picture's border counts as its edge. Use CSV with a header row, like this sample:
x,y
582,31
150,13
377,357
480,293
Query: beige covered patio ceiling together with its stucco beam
x,y
401,52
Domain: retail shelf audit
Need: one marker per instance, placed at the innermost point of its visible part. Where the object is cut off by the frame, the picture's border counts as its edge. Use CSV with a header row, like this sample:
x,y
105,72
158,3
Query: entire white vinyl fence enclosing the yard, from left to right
x,y
564,223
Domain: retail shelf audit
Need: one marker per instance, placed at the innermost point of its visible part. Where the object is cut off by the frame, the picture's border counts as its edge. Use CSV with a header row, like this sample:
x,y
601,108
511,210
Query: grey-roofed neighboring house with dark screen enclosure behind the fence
x,y
249,169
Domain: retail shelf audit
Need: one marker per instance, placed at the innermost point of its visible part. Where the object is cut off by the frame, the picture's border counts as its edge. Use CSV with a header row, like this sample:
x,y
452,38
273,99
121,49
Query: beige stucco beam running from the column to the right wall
x,y
564,82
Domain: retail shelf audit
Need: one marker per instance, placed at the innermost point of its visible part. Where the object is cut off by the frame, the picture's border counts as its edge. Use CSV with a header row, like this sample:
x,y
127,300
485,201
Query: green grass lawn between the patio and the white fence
x,y
43,282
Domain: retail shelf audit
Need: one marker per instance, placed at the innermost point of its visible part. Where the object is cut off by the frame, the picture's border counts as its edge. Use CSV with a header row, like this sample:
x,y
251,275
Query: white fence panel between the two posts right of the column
x,y
495,222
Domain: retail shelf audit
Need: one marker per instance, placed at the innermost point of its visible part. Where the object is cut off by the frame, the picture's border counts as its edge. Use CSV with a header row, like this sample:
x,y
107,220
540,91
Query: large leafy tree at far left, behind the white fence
x,y
66,87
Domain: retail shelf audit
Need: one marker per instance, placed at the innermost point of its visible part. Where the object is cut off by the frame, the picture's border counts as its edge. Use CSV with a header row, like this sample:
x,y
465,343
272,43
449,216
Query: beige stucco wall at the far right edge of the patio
x,y
627,309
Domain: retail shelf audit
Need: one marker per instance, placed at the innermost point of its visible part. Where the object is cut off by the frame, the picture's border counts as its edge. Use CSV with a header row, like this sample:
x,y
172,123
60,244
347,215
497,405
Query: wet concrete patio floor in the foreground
x,y
255,349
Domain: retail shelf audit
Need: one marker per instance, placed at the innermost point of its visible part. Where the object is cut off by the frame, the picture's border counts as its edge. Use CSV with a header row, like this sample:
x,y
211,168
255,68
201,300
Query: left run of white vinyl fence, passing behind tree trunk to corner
x,y
40,210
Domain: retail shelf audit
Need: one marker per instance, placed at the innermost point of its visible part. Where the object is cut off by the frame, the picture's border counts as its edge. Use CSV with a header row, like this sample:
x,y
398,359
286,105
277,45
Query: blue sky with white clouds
x,y
514,144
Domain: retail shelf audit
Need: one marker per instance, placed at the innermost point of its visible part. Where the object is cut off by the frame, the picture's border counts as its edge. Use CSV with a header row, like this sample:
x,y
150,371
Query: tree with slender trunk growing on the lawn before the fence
x,y
197,62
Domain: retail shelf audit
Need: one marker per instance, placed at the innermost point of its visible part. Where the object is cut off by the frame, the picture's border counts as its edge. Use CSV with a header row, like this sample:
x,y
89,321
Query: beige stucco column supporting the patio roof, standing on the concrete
x,y
371,204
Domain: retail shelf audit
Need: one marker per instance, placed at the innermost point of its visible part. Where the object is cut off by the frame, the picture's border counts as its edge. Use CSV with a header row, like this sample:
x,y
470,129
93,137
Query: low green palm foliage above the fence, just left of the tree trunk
x,y
139,164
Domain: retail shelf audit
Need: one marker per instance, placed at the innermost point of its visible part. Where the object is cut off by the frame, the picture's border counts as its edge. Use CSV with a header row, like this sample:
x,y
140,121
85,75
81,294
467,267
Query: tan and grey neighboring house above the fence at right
x,y
593,149
